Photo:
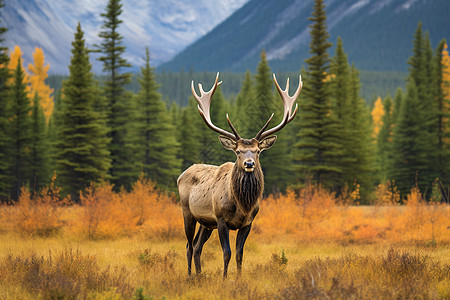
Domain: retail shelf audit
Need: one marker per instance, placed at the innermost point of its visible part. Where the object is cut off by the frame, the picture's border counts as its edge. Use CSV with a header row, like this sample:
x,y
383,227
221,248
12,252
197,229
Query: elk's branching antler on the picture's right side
x,y
288,115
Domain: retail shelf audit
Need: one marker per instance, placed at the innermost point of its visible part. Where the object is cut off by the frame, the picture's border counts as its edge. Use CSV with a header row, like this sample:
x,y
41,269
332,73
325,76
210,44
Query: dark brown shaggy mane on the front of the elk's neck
x,y
247,187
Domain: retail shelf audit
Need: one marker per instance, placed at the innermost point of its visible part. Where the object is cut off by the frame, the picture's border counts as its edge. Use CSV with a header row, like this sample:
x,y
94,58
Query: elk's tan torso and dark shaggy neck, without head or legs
x,y
226,190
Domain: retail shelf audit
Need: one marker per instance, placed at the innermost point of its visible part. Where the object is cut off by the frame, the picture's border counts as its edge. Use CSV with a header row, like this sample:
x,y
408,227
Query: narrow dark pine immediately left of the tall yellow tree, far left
x,y
20,131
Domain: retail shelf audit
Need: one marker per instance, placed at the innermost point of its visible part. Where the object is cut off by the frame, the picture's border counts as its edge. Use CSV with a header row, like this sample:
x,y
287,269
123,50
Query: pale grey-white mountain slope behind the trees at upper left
x,y
166,27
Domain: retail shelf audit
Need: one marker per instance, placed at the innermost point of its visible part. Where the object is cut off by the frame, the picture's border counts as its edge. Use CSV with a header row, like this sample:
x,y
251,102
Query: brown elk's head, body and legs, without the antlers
x,y
225,197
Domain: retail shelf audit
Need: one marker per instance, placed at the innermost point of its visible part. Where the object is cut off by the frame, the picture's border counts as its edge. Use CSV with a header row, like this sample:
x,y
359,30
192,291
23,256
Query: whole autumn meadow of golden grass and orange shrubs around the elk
x,y
305,244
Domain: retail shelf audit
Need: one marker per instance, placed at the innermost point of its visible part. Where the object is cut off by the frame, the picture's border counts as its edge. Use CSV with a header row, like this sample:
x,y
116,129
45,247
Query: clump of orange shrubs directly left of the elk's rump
x,y
107,214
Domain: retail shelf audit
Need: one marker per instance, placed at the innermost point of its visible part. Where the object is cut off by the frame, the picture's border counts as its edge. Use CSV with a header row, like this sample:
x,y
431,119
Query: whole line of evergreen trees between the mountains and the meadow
x,y
96,129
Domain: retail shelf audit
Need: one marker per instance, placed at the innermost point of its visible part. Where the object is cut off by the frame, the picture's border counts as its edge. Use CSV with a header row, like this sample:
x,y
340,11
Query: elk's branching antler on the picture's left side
x,y
204,104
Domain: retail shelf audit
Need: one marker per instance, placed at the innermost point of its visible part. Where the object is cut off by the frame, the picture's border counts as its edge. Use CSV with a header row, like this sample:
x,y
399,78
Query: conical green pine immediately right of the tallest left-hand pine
x,y
156,134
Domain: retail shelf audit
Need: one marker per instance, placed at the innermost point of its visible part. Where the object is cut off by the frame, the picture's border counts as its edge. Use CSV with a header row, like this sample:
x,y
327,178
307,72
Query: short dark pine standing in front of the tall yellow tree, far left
x,y
39,162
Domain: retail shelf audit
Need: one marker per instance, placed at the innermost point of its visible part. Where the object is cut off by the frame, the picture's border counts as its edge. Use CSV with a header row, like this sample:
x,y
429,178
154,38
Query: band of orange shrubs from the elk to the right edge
x,y
313,215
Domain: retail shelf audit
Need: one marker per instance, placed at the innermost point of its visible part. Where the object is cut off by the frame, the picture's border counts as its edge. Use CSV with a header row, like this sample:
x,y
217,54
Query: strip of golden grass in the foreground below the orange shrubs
x,y
323,270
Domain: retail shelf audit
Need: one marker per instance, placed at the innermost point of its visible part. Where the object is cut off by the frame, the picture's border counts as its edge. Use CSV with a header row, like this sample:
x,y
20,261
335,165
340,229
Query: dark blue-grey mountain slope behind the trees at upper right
x,y
377,34
